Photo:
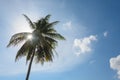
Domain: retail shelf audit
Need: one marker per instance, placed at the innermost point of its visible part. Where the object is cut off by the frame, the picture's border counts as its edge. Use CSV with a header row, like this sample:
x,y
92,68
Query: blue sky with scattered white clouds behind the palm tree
x,y
91,27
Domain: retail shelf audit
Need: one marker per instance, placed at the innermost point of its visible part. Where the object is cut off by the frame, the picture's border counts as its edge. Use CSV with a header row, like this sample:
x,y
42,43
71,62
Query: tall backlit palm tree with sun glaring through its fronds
x,y
41,43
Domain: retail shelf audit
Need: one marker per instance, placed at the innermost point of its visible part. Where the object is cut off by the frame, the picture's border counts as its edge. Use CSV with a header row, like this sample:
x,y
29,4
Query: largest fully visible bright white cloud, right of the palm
x,y
83,45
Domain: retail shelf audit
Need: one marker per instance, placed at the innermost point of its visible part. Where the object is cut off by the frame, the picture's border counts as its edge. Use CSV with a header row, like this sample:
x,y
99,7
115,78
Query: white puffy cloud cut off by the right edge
x,y
115,64
